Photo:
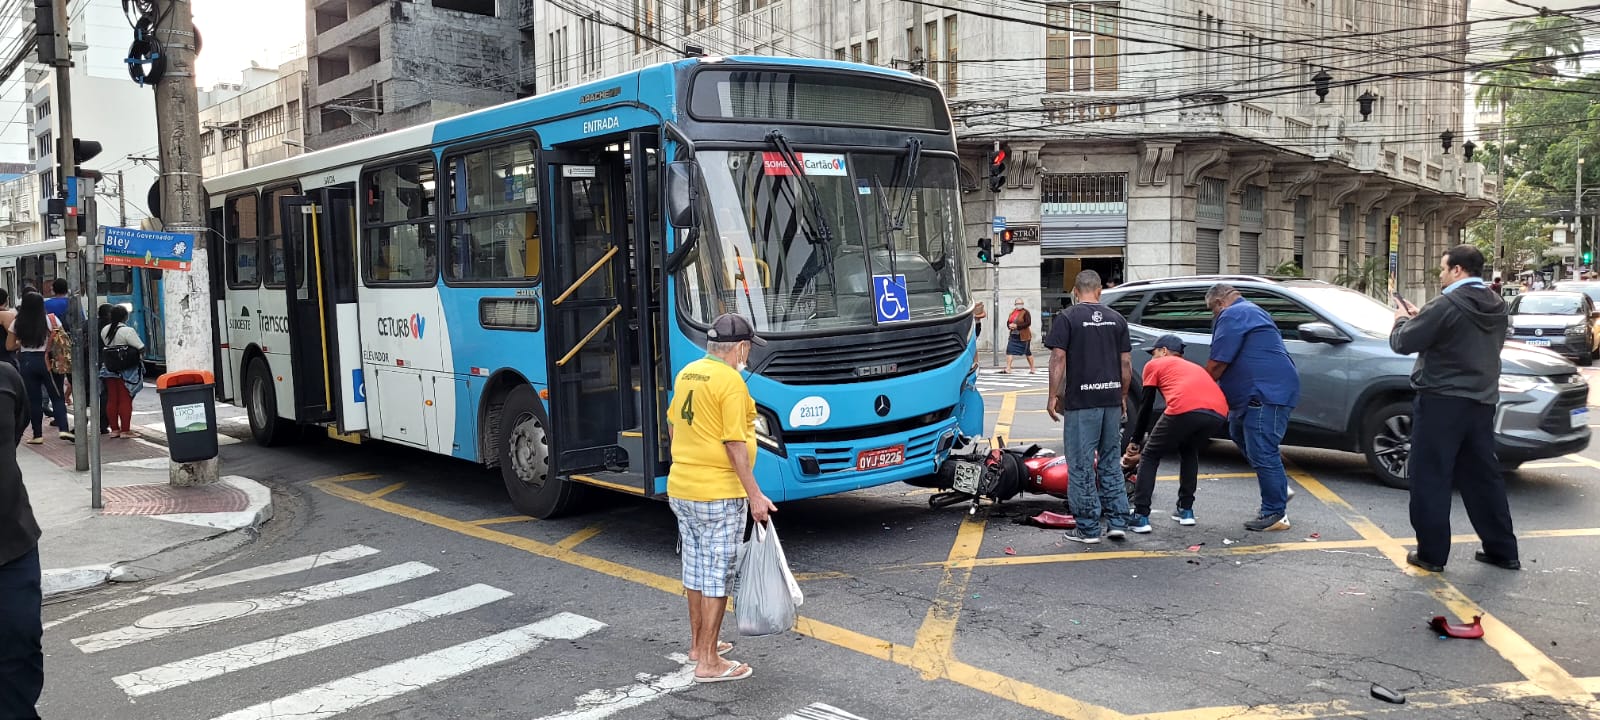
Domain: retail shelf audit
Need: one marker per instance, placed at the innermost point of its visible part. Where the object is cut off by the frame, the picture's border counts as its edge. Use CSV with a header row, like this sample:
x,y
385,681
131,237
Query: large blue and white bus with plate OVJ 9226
x,y
519,286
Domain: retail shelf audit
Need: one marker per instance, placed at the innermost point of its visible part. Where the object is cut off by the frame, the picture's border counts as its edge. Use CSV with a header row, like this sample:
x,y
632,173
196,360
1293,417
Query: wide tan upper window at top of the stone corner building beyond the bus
x,y
1081,47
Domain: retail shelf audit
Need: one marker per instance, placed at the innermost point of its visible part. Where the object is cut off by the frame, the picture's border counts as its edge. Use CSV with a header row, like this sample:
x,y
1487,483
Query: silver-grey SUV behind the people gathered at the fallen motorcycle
x,y
1356,393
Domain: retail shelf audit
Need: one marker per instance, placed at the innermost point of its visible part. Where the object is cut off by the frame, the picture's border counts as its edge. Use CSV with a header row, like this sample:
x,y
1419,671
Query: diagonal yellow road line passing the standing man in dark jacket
x,y
1511,646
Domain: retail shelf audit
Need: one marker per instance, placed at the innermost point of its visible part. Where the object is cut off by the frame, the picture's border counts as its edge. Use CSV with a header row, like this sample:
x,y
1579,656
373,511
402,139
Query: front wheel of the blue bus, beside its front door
x,y
526,460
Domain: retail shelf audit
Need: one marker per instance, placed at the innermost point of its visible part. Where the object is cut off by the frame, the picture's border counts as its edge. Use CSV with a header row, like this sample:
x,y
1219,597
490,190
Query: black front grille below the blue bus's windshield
x,y
863,362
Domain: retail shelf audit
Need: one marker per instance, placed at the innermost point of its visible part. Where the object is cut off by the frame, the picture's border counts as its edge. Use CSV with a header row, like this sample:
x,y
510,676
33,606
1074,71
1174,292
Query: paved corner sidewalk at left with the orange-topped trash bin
x,y
148,529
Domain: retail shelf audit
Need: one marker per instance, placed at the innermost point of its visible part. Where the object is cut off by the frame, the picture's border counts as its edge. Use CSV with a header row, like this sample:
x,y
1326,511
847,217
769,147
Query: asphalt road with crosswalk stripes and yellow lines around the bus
x,y
911,614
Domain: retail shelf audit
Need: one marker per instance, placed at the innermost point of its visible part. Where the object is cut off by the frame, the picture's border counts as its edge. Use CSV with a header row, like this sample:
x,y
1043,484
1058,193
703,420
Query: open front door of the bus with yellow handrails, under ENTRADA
x,y
590,311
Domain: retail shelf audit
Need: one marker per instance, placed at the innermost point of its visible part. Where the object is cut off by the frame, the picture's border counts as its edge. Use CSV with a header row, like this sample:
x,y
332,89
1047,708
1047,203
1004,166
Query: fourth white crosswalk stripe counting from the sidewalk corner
x,y
398,679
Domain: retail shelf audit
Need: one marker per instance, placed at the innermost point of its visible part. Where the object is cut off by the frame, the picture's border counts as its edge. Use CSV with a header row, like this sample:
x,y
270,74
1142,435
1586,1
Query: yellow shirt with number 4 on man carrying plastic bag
x,y
711,407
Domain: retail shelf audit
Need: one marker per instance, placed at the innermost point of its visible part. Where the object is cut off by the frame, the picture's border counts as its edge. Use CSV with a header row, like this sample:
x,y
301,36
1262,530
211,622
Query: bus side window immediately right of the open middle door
x,y
399,244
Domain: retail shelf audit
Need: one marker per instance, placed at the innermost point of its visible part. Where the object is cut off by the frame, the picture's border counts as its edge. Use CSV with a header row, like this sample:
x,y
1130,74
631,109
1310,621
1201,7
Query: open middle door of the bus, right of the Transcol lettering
x,y
319,250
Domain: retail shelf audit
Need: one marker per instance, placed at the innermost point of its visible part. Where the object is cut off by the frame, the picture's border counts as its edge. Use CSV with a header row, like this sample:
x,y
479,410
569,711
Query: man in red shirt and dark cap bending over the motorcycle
x,y
1196,412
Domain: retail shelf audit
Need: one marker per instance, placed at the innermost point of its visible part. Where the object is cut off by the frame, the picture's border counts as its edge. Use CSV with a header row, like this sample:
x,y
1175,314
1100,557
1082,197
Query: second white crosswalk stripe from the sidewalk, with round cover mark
x,y
191,617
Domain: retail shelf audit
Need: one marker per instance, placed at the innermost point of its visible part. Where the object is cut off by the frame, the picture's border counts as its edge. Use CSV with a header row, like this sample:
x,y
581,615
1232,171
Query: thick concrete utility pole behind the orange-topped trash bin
x,y
188,295
